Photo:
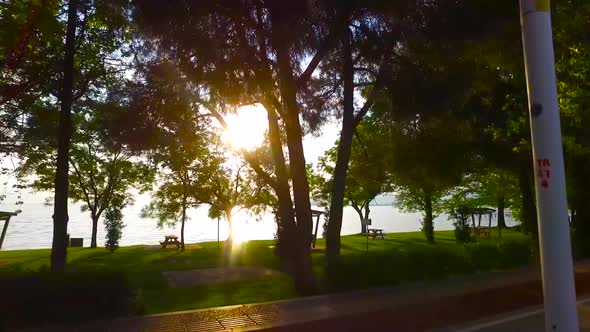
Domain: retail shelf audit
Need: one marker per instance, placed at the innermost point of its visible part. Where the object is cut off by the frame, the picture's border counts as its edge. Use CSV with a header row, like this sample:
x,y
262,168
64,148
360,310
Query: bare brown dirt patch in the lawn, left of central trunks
x,y
220,275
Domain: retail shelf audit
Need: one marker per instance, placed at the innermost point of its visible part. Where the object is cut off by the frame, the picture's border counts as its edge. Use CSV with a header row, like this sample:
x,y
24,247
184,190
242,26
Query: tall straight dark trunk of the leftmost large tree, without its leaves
x,y
60,206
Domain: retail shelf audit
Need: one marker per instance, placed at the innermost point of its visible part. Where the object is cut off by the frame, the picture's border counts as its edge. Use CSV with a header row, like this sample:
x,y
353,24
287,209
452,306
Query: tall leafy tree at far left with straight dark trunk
x,y
58,55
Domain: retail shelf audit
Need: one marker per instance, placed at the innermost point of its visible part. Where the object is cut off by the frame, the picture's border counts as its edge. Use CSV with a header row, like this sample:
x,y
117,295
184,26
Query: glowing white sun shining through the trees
x,y
246,128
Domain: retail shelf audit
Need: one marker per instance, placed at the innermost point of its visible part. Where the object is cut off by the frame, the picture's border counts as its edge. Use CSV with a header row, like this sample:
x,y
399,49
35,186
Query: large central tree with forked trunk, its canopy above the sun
x,y
259,64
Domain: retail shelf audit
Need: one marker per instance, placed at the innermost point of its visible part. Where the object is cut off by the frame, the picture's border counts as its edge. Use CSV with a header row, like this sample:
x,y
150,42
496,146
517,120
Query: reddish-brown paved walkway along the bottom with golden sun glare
x,y
410,307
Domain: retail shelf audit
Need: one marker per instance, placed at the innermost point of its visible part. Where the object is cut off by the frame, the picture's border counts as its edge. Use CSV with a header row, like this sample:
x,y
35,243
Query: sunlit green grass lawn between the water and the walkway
x,y
401,257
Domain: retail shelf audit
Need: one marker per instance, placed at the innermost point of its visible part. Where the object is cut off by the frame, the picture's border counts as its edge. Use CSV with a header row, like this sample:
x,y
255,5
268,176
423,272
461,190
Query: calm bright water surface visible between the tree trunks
x,y
33,227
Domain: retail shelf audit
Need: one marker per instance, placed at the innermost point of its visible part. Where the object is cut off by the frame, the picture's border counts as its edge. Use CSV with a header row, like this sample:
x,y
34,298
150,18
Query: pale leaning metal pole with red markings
x,y
554,238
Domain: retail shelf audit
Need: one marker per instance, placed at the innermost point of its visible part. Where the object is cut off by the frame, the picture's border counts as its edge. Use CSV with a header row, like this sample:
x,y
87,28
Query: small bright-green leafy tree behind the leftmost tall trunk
x,y
101,171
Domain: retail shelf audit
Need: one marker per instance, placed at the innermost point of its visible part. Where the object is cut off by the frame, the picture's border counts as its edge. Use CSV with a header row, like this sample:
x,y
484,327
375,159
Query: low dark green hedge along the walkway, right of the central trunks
x,y
423,263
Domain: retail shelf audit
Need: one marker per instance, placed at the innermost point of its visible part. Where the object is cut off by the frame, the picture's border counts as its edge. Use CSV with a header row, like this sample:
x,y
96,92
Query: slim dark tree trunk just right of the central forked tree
x,y
343,155
